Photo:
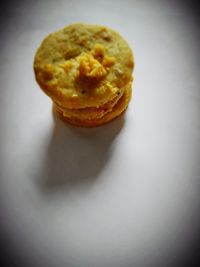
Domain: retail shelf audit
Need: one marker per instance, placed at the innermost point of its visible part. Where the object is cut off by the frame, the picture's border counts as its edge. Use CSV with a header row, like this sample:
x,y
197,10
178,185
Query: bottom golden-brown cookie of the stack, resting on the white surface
x,y
116,111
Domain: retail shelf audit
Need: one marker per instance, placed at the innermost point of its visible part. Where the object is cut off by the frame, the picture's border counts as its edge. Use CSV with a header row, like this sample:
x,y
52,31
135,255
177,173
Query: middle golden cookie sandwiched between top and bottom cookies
x,y
91,113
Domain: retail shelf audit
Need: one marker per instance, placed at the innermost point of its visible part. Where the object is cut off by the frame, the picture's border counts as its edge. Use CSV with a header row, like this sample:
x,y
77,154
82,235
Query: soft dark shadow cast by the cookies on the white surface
x,y
76,156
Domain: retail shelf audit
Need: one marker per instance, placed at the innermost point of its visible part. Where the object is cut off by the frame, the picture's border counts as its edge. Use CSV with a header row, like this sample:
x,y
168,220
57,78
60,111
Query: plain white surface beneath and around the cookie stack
x,y
125,194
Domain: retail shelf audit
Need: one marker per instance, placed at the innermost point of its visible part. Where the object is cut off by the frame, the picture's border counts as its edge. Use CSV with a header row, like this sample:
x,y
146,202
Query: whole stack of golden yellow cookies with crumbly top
x,y
87,72
